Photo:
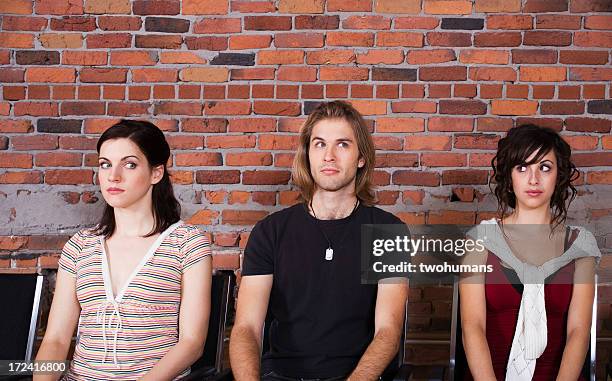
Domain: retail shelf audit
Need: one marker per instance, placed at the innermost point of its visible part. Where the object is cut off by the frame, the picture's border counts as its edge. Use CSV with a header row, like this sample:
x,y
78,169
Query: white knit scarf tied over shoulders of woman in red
x,y
530,336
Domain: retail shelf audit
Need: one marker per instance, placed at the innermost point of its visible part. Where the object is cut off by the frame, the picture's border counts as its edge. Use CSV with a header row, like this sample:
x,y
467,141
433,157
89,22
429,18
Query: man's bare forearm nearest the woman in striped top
x,y
245,341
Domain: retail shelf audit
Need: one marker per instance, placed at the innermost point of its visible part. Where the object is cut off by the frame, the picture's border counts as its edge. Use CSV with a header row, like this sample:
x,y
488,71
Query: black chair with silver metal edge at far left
x,y
21,294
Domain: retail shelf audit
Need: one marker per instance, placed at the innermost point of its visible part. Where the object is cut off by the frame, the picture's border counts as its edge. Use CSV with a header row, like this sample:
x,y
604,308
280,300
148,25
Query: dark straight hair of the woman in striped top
x,y
151,141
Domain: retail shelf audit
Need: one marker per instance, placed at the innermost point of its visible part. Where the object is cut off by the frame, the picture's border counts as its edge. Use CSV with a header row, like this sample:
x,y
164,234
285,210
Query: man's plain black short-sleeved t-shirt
x,y
323,317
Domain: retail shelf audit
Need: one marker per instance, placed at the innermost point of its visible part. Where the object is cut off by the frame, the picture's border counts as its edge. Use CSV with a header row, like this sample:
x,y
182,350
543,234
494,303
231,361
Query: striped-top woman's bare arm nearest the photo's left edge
x,y
63,319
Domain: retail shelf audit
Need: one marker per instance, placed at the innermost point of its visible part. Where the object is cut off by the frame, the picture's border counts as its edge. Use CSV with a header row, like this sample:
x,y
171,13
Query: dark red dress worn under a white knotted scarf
x,y
503,301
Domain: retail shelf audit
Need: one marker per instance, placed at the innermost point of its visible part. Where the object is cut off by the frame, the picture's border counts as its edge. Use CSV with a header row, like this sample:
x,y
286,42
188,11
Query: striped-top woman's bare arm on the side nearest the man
x,y
193,323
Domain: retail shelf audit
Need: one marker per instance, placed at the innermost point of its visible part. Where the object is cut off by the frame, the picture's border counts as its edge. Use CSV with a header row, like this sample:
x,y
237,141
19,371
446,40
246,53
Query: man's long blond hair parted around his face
x,y
301,175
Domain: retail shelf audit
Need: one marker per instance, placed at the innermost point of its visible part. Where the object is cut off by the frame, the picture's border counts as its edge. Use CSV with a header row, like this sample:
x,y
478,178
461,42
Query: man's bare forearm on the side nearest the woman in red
x,y
389,322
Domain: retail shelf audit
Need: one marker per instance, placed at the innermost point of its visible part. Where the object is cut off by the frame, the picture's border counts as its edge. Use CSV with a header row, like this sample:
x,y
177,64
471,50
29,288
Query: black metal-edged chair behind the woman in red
x,y
458,361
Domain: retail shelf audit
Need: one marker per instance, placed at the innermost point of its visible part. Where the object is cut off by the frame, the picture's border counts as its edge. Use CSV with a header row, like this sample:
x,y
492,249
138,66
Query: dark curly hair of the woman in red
x,y
514,149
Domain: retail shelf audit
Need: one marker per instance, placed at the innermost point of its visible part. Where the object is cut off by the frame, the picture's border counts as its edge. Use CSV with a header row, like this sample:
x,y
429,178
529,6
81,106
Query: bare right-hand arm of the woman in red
x,y
578,321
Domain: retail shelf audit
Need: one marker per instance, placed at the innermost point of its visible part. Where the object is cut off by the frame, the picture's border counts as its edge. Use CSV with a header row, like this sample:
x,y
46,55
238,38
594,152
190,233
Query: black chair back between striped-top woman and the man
x,y
210,365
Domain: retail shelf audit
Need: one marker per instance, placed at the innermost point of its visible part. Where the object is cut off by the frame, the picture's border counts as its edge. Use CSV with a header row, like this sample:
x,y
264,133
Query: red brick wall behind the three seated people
x,y
231,82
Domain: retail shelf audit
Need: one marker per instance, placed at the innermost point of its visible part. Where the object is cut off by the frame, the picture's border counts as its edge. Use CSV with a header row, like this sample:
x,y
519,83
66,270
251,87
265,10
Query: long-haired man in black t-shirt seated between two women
x,y
302,265
